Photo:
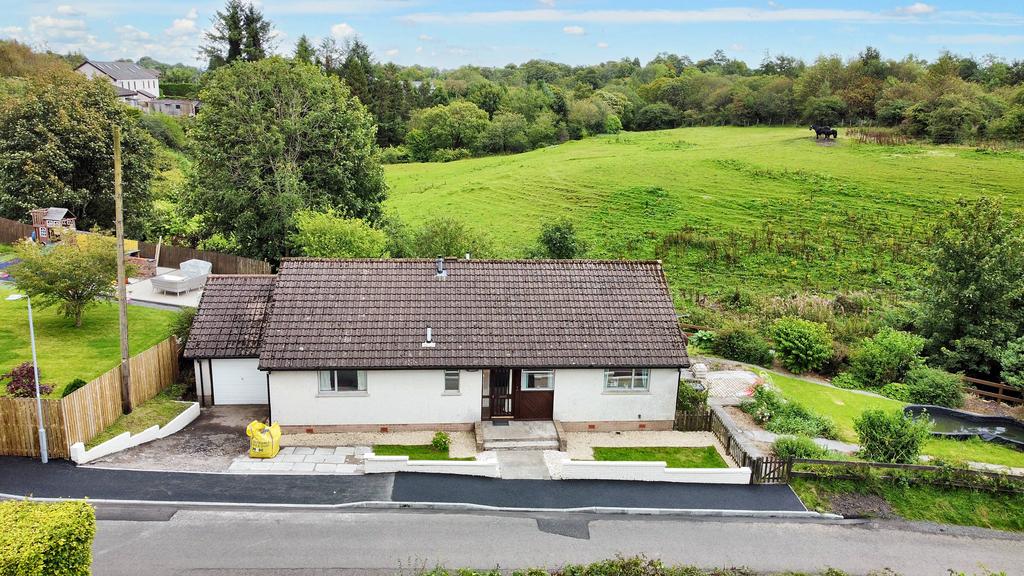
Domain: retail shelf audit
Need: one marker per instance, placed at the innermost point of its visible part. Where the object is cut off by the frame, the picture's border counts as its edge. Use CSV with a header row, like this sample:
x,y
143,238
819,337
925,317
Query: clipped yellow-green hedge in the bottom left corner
x,y
41,540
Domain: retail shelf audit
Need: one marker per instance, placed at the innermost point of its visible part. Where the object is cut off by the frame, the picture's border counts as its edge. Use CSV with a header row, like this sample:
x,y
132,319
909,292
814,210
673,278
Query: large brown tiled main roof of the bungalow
x,y
559,314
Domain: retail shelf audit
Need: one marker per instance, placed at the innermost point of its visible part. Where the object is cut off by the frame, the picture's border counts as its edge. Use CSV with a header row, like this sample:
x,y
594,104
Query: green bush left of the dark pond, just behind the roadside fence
x,y
891,437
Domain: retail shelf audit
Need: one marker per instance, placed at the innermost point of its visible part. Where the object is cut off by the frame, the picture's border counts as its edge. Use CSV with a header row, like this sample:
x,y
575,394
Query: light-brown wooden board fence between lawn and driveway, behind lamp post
x,y
88,412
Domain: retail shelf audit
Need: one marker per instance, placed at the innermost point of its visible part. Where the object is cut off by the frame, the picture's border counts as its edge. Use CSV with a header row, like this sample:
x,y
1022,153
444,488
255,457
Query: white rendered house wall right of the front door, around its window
x,y
580,397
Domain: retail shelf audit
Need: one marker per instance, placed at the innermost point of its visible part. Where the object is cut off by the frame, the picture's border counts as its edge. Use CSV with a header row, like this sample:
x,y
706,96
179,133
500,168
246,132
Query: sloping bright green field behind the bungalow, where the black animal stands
x,y
764,211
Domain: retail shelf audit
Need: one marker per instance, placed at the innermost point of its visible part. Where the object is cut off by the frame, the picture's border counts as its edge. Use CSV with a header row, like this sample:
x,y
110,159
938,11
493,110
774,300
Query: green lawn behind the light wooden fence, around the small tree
x,y
67,353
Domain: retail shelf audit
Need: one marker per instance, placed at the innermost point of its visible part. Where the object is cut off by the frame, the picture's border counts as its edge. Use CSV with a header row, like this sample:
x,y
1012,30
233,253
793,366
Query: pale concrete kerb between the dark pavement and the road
x,y
449,507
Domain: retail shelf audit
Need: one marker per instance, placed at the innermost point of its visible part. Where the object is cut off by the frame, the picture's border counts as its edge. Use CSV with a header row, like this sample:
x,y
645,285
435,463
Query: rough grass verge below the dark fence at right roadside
x,y
965,508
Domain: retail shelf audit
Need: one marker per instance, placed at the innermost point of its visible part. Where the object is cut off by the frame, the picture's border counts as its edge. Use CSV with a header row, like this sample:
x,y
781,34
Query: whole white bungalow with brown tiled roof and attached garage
x,y
419,345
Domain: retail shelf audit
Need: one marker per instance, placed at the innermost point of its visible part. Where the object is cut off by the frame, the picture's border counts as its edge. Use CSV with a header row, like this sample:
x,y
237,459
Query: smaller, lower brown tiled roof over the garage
x,y
230,321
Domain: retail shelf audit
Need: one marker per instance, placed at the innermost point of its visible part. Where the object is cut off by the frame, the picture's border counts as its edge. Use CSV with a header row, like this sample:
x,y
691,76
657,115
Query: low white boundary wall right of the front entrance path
x,y
563,468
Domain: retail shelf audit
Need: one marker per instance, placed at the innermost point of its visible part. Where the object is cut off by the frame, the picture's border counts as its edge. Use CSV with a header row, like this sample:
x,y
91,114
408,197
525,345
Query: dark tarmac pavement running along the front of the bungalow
x,y
61,479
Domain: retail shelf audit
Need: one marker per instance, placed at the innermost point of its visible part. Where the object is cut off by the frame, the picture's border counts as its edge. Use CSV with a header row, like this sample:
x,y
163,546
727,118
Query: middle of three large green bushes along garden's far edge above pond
x,y
885,358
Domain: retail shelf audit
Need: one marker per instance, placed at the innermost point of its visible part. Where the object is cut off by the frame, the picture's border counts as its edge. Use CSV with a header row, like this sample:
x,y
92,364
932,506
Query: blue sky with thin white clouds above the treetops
x,y
448,34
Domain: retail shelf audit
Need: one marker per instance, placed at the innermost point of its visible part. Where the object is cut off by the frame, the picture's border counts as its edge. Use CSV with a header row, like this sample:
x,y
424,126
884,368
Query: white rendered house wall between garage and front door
x,y
393,397
